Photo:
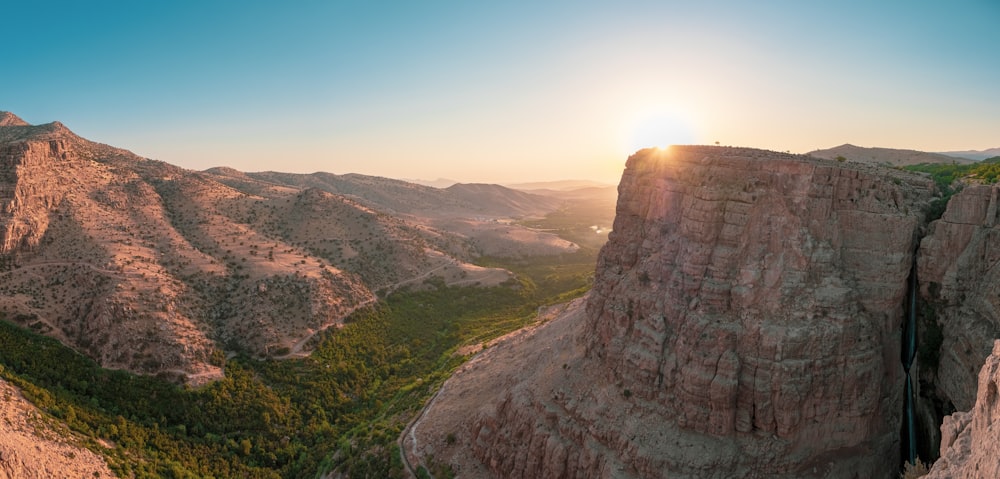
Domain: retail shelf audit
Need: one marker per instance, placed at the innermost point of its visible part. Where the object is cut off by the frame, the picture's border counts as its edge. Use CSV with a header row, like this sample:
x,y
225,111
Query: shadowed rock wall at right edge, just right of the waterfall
x,y
959,270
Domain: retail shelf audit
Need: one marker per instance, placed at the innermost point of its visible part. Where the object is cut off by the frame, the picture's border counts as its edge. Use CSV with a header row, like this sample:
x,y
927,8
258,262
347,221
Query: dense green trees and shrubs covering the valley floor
x,y
340,408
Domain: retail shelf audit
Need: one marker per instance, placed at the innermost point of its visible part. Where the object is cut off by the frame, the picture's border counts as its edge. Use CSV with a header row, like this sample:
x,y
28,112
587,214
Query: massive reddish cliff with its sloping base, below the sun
x,y
744,322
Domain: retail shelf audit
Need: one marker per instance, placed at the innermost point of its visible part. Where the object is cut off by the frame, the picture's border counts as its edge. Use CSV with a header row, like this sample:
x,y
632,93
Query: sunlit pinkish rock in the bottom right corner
x,y
970,445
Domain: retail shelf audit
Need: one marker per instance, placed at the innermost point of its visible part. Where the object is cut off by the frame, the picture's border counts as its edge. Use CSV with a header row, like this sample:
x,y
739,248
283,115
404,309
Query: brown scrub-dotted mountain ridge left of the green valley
x,y
160,270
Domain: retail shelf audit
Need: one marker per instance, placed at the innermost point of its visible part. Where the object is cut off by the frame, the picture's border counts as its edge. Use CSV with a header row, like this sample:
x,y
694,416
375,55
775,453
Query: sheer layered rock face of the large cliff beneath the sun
x,y
739,290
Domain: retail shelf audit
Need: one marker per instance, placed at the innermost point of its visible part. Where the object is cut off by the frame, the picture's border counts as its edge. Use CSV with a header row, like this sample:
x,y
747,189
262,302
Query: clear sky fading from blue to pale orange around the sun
x,y
500,92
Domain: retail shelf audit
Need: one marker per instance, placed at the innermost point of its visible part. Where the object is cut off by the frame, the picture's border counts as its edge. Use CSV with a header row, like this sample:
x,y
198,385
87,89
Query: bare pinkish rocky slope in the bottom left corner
x,y
32,446
